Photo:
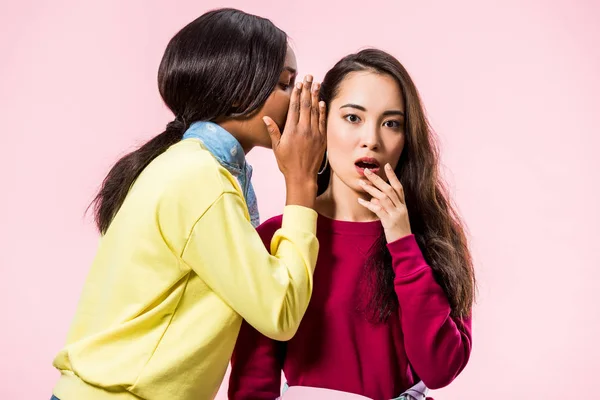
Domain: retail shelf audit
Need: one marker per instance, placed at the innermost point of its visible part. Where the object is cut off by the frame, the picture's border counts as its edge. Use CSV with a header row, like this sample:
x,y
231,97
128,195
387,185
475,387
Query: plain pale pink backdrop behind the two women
x,y
512,87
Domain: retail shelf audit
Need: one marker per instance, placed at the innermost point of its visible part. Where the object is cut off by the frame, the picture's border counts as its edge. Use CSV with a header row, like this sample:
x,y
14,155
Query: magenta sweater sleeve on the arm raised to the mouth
x,y
438,346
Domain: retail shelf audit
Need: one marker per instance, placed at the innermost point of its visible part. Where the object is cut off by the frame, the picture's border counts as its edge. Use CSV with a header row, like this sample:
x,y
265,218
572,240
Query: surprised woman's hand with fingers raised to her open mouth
x,y
387,203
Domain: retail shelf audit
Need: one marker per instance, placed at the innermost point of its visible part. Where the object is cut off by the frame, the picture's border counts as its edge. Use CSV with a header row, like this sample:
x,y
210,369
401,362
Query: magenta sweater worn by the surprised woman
x,y
336,347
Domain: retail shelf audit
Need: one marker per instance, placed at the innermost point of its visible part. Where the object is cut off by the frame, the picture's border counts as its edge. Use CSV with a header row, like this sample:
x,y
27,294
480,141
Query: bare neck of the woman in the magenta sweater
x,y
340,202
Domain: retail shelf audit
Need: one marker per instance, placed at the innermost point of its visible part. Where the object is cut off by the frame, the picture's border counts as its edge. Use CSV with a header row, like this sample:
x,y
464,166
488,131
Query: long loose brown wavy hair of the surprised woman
x,y
433,219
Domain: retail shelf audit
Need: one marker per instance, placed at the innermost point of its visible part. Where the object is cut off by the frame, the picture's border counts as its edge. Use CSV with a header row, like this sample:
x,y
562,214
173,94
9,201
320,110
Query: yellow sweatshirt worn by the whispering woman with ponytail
x,y
174,275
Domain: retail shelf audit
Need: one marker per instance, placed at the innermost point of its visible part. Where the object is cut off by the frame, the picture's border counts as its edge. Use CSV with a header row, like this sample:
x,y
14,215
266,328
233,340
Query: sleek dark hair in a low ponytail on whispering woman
x,y
225,63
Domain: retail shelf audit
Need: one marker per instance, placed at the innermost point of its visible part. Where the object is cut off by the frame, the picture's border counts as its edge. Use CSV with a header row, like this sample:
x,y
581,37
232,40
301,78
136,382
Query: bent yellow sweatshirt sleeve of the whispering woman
x,y
270,291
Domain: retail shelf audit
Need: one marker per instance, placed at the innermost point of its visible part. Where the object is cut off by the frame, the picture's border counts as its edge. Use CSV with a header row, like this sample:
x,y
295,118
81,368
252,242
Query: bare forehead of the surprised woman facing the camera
x,y
376,92
